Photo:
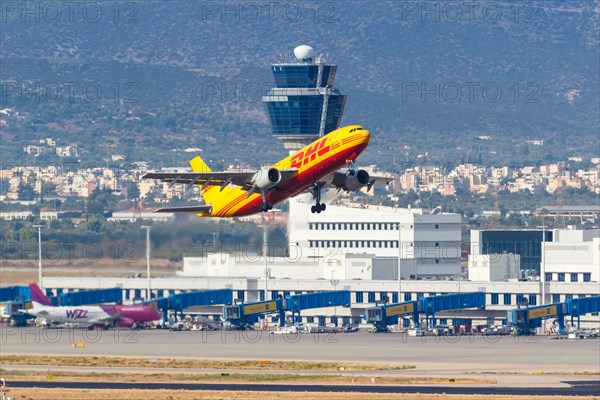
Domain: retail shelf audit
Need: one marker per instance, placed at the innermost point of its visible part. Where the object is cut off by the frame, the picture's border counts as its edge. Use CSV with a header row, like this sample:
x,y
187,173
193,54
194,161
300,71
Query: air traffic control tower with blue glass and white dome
x,y
304,105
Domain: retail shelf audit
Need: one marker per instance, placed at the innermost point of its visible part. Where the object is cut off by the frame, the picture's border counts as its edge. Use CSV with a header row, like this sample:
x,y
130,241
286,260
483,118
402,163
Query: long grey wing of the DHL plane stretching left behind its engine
x,y
243,178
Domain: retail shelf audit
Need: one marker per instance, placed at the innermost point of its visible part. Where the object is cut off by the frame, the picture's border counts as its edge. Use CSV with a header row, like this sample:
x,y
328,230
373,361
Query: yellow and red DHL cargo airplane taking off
x,y
238,193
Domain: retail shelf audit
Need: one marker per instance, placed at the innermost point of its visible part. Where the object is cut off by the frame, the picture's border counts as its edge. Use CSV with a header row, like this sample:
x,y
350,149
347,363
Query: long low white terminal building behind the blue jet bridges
x,y
368,282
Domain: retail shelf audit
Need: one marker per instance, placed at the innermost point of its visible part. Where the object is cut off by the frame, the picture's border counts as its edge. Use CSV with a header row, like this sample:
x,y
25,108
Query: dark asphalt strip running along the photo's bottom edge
x,y
580,388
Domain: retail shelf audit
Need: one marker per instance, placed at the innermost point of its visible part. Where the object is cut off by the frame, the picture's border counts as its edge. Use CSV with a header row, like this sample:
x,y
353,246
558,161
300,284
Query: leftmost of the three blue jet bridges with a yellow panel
x,y
249,313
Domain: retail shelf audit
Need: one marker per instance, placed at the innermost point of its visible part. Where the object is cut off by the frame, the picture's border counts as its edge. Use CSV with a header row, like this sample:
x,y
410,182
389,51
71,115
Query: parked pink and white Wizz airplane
x,y
121,316
